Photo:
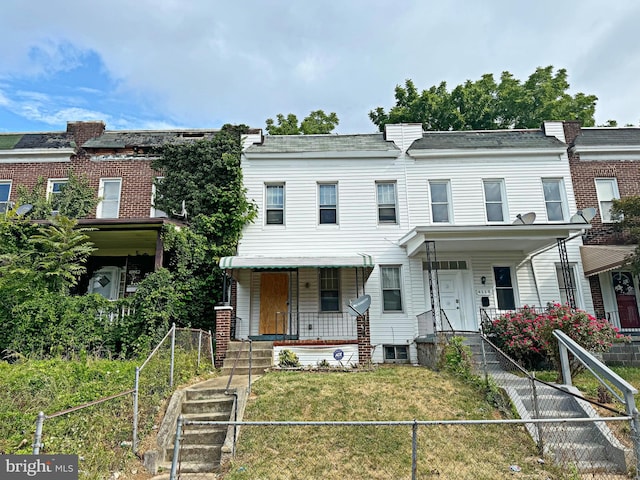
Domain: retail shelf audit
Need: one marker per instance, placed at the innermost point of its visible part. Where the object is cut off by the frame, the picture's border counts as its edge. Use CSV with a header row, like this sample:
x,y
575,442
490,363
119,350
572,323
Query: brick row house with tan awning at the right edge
x,y
605,165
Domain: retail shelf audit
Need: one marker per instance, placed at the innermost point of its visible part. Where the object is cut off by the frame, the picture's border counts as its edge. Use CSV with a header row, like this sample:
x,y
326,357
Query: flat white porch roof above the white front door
x,y
524,238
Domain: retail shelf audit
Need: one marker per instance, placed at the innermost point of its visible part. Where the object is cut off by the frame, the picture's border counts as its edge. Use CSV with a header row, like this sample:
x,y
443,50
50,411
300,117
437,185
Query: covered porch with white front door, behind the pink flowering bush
x,y
469,271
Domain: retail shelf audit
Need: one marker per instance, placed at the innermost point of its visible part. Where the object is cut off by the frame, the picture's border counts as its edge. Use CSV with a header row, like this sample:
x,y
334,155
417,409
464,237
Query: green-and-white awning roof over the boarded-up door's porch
x,y
262,262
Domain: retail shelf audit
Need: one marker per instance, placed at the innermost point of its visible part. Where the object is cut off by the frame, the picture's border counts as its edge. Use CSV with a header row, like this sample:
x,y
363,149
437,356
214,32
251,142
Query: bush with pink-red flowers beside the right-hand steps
x,y
527,334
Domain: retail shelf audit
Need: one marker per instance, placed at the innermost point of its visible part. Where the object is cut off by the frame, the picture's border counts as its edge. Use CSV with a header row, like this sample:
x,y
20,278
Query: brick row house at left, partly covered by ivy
x,y
118,167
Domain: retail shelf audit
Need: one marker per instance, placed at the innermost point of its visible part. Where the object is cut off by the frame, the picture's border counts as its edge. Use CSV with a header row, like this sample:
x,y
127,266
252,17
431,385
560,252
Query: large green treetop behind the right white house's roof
x,y
485,104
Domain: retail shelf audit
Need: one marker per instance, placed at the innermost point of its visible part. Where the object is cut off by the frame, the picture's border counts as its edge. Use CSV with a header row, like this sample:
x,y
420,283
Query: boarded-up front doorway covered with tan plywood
x,y
274,303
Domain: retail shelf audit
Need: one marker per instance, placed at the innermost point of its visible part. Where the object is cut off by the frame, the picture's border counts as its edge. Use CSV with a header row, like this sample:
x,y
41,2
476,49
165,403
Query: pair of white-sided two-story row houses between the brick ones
x,y
415,220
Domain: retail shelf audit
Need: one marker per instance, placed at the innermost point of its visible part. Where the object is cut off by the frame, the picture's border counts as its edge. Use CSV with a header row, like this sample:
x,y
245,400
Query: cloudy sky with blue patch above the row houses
x,y
158,64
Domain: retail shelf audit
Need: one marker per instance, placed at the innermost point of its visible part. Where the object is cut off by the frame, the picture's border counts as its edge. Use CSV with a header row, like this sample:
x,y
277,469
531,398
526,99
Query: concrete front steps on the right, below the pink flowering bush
x,y
590,446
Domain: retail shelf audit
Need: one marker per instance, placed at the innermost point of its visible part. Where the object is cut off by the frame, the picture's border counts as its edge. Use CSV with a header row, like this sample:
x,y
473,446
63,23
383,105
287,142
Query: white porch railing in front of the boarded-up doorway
x,y
316,325
